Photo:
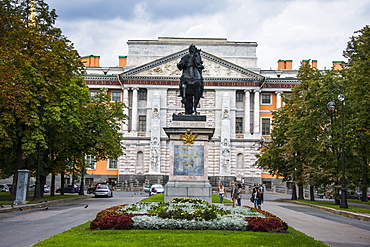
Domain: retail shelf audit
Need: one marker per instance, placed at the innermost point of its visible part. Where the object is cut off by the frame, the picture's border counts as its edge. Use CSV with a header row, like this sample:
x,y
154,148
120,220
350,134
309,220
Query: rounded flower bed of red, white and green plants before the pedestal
x,y
187,214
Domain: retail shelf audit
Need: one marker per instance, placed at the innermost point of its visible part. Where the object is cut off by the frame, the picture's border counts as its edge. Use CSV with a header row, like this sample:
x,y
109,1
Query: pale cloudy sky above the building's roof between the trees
x,y
283,29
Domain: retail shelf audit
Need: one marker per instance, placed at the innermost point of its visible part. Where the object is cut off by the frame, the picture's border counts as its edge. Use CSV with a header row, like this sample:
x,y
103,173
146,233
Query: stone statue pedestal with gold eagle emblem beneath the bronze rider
x,y
188,174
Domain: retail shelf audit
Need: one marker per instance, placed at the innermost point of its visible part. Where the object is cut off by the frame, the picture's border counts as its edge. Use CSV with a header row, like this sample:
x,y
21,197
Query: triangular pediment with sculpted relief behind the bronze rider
x,y
214,67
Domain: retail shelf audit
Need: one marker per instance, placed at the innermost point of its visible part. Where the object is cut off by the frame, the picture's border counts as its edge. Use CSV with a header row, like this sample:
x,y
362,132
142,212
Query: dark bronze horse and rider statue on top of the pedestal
x,y
191,80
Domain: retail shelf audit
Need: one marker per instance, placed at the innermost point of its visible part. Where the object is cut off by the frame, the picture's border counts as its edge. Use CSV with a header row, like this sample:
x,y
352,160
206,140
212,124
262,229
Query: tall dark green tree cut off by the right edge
x,y
356,75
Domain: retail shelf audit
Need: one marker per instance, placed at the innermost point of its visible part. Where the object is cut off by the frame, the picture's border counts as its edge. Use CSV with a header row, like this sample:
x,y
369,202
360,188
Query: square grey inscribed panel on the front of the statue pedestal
x,y
188,160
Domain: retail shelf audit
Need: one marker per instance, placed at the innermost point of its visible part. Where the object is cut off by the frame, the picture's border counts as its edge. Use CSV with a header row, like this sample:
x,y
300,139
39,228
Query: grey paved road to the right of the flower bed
x,y
323,226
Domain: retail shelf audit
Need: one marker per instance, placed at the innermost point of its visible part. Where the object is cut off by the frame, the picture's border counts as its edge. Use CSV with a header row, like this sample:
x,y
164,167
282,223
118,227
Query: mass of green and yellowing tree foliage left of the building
x,y
43,99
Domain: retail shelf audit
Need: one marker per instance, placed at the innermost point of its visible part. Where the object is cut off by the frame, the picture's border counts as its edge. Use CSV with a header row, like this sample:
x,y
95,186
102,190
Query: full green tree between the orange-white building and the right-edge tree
x,y
299,150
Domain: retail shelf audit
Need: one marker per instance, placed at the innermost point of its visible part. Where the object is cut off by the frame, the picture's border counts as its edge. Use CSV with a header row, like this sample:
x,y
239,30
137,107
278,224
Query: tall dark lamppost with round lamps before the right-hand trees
x,y
331,105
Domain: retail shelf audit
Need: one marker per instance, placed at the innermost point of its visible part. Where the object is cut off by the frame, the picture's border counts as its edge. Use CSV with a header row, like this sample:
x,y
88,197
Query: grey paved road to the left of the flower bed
x,y
27,227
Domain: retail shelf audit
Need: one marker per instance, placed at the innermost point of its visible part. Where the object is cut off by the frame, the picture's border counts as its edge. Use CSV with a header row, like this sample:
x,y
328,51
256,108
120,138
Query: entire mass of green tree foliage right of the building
x,y
306,139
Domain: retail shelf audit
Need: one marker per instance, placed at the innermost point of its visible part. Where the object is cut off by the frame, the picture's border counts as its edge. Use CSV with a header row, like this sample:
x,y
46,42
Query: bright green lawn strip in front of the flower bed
x,y
82,236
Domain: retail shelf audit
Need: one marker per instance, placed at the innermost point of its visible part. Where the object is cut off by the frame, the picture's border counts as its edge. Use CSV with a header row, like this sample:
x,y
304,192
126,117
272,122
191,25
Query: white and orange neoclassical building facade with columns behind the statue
x,y
238,102
